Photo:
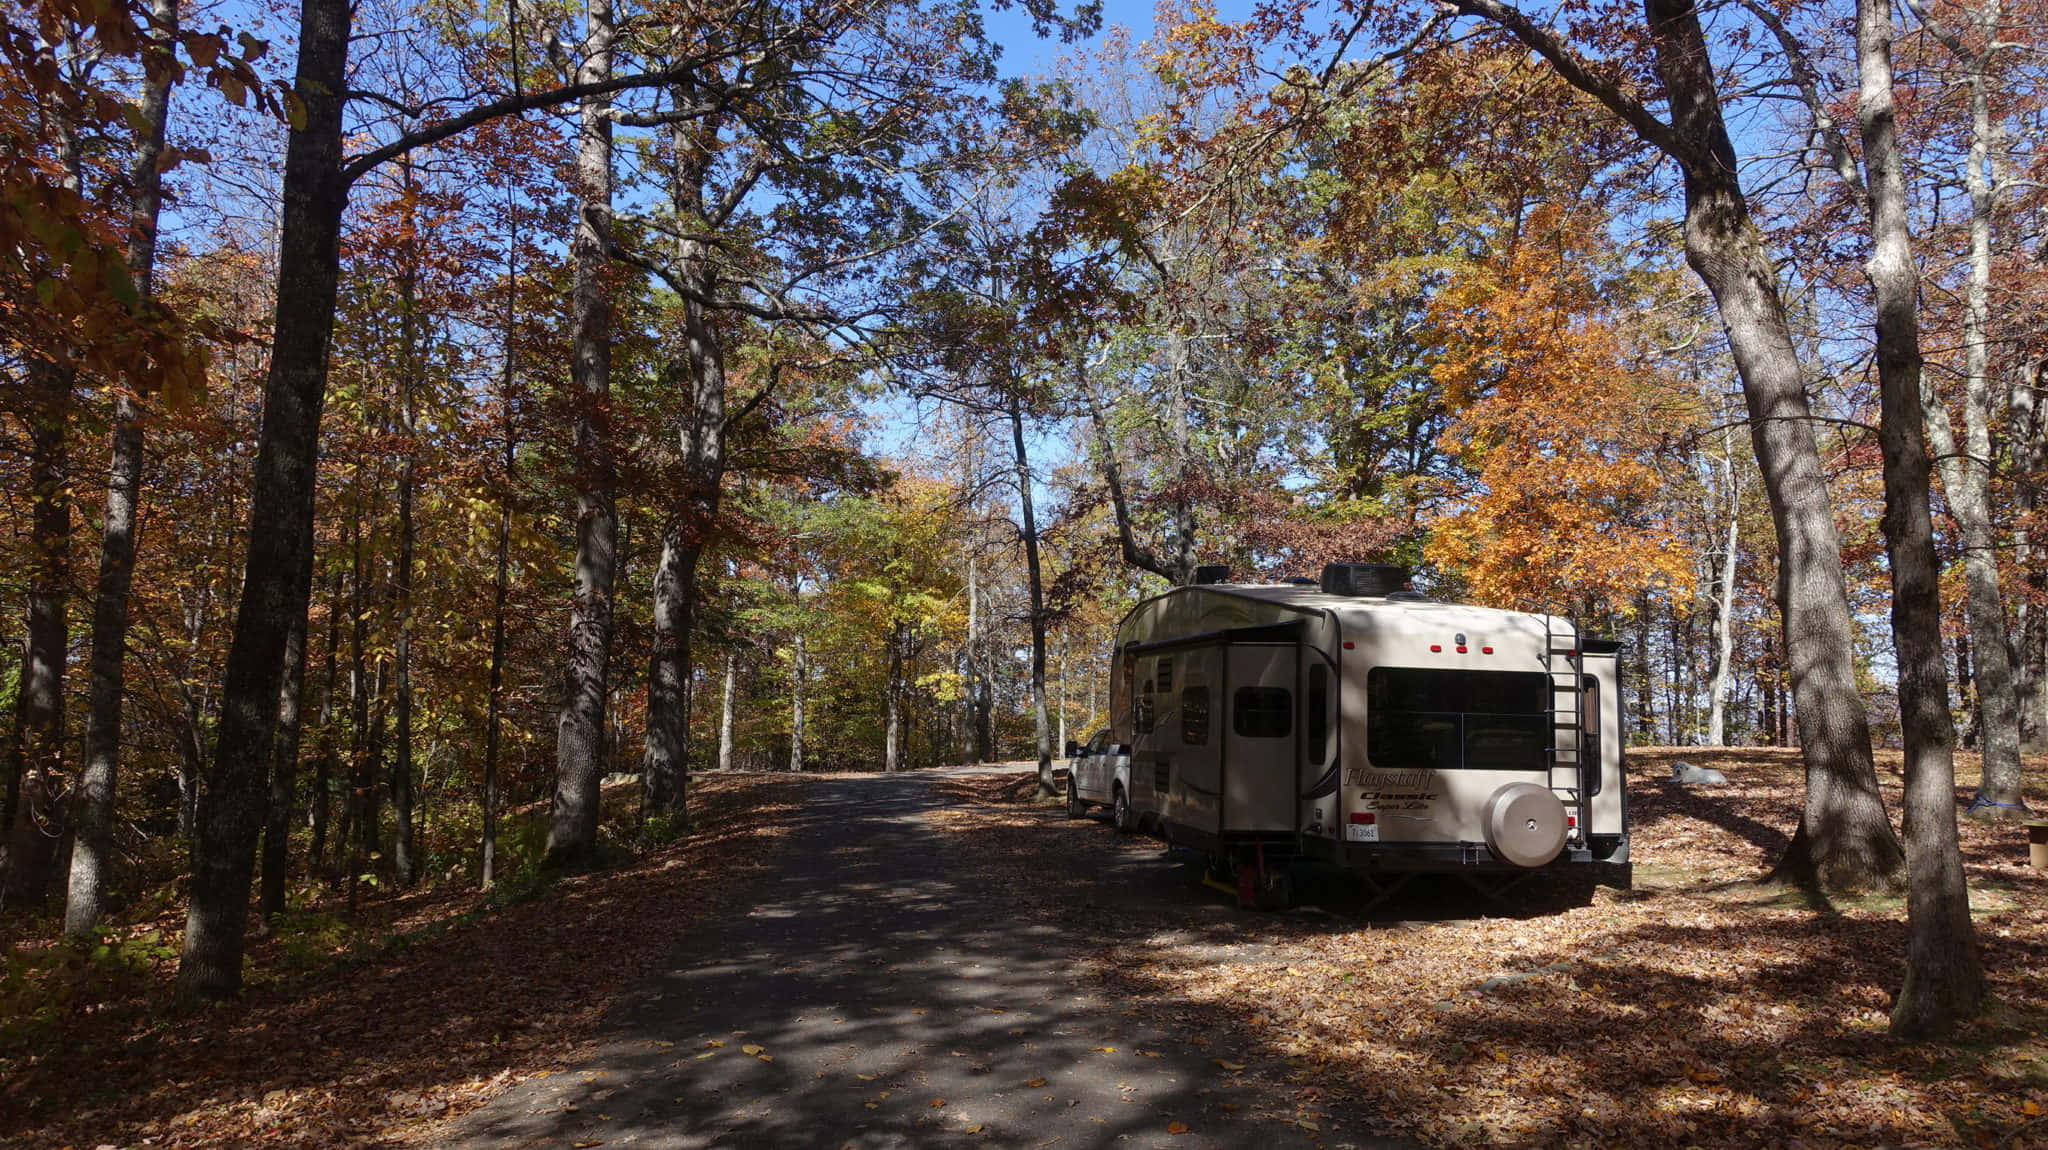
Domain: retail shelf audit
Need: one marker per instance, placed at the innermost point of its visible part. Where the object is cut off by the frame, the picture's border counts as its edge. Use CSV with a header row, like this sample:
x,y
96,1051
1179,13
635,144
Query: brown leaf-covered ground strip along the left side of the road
x,y
314,1061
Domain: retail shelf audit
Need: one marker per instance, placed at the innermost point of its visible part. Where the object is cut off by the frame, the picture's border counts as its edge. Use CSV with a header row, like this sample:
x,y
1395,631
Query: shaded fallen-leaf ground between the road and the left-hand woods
x,y
361,1028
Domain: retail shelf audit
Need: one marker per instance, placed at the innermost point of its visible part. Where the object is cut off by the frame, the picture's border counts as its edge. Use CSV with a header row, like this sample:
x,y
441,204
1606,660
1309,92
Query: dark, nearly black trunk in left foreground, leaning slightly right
x,y
282,511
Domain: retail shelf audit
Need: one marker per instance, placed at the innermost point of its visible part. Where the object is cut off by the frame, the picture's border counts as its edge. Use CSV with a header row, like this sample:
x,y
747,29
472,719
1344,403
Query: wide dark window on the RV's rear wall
x,y
1426,717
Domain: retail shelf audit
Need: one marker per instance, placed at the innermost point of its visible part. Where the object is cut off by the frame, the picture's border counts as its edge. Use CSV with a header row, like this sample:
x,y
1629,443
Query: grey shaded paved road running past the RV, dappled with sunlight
x,y
869,1002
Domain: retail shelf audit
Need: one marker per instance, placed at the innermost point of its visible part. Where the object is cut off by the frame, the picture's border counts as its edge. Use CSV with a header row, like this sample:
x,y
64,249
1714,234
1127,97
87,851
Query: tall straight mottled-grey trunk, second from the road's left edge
x,y
572,828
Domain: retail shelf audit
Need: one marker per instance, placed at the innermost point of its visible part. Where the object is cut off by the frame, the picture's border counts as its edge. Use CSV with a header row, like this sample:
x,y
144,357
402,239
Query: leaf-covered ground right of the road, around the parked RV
x,y
1695,1010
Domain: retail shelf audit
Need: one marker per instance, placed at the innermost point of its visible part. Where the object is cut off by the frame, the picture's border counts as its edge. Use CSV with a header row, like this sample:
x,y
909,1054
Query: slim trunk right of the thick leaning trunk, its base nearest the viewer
x,y
1945,981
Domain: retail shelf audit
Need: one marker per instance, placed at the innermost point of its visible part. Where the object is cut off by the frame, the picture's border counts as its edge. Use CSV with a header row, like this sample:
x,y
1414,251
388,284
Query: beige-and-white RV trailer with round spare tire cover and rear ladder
x,y
1361,723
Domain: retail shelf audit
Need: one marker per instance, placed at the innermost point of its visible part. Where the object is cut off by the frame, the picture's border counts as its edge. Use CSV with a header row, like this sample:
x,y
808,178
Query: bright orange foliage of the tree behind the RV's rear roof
x,y
1558,423
